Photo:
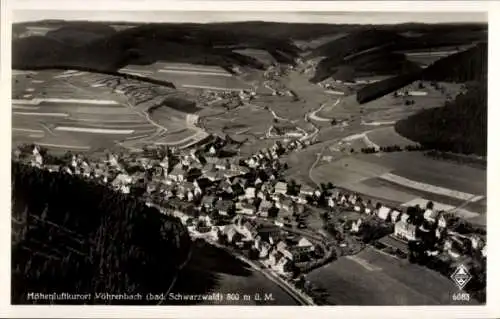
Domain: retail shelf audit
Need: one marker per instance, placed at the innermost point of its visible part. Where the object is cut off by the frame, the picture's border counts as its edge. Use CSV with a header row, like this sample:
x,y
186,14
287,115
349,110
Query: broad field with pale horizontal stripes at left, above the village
x,y
70,113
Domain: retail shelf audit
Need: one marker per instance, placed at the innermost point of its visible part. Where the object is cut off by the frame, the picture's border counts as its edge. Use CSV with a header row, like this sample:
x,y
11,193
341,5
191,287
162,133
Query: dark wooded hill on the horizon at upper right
x,y
380,50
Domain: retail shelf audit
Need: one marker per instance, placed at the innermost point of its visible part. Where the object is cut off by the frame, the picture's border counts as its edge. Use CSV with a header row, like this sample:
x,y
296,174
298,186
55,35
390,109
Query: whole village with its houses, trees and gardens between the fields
x,y
247,206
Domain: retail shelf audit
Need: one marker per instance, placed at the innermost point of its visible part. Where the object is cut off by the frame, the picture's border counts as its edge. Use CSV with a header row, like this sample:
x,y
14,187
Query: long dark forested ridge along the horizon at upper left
x,y
148,43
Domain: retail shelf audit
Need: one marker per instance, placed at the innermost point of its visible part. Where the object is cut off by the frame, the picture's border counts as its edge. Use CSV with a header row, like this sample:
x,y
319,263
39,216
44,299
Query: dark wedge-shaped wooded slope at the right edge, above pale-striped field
x,y
460,126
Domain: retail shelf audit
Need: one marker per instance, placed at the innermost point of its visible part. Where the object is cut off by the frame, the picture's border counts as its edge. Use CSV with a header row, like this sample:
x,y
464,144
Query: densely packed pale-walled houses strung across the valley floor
x,y
209,191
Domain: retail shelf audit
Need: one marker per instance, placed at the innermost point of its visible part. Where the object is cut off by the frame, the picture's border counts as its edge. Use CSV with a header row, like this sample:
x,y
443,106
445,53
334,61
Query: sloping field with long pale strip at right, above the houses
x,y
401,178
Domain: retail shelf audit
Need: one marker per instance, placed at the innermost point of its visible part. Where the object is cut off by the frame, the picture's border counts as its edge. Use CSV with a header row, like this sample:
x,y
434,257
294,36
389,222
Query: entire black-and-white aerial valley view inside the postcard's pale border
x,y
322,158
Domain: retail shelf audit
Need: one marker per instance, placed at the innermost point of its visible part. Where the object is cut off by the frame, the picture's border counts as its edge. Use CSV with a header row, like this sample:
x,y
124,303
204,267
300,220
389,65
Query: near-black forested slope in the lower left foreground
x,y
70,235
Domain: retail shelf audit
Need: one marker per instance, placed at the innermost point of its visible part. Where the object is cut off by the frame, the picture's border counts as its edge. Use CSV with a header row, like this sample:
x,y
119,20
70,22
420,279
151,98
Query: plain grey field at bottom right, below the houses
x,y
373,278
